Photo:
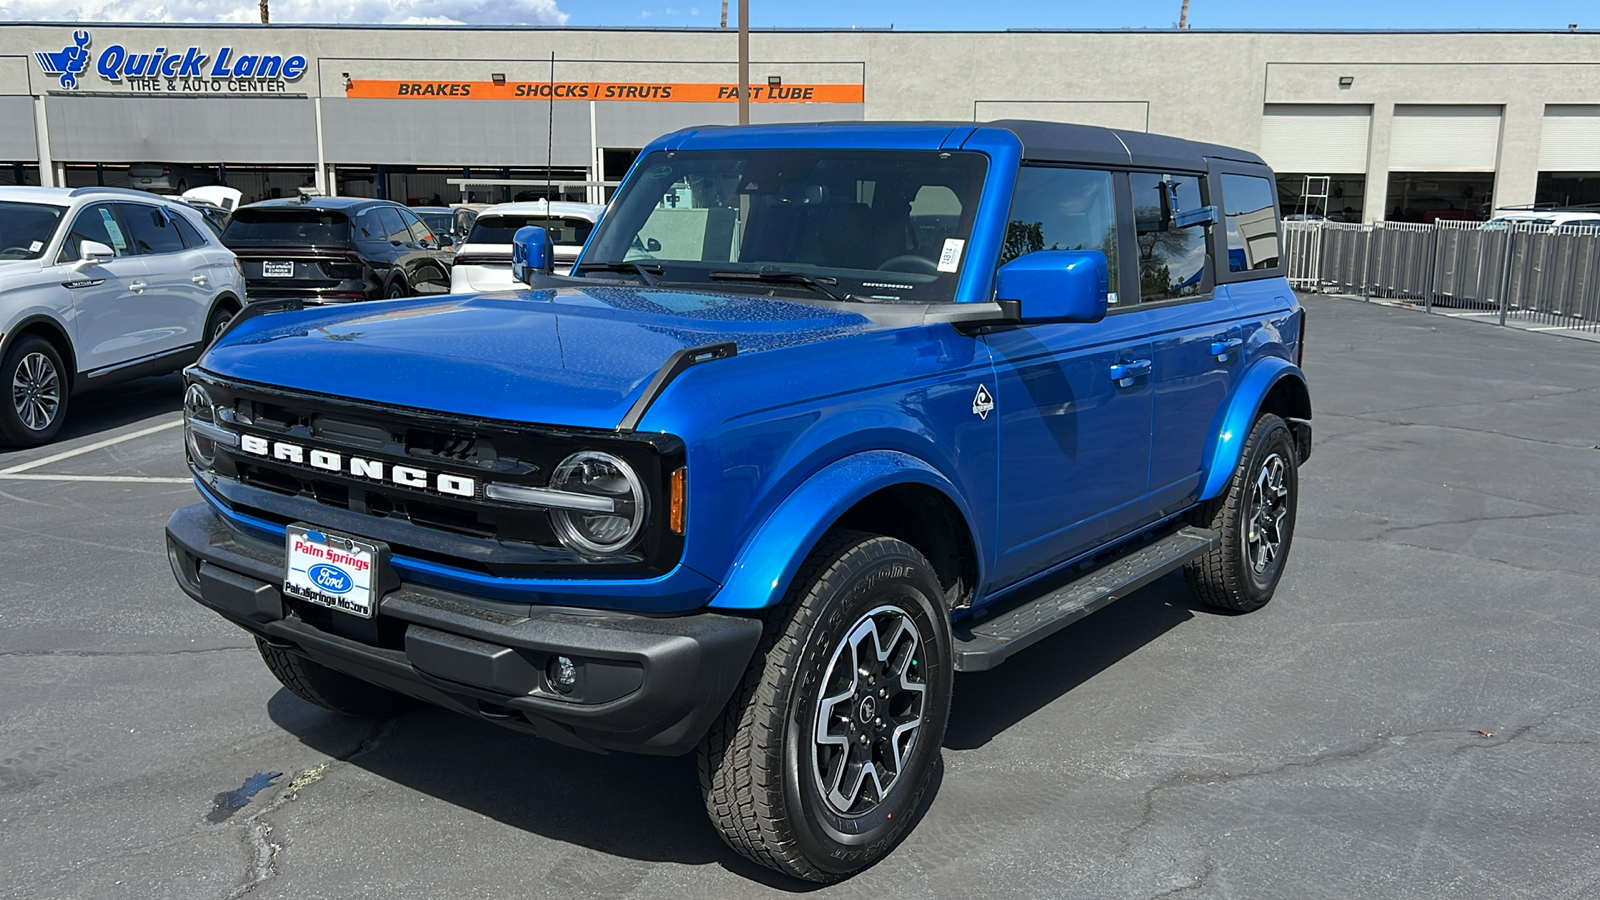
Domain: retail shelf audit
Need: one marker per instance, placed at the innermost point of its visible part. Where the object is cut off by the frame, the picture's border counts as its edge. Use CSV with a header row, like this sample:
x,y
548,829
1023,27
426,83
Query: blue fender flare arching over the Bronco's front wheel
x,y
770,558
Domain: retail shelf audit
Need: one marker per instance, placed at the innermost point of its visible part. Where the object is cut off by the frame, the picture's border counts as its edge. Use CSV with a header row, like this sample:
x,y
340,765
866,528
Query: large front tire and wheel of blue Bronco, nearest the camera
x,y
822,761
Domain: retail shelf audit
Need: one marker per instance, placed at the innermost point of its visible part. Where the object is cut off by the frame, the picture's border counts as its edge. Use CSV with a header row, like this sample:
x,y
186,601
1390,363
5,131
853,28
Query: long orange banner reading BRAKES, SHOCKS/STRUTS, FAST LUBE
x,y
599,92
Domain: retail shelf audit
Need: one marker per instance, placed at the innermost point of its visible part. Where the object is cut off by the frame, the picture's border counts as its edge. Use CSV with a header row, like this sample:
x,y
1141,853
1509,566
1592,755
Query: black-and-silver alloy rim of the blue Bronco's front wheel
x,y
870,710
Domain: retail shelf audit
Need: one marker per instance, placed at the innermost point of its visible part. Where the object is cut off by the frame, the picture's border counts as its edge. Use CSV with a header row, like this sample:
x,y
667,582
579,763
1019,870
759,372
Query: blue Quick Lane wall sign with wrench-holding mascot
x,y
178,70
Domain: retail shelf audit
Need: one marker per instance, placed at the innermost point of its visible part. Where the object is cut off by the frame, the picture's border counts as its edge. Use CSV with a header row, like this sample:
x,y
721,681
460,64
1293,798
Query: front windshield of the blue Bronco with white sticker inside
x,y
878,225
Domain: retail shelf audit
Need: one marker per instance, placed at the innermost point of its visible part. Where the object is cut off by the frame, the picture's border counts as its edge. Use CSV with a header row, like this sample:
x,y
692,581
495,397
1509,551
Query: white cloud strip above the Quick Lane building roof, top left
x,y
287,12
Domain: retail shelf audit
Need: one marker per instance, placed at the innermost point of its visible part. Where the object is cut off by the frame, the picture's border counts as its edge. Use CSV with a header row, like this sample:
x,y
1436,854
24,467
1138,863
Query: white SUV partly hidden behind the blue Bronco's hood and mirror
x,y
484,262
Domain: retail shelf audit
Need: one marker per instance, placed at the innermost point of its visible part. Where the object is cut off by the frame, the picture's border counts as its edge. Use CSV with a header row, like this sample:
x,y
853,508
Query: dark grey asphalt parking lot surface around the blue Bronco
x,y
1417,713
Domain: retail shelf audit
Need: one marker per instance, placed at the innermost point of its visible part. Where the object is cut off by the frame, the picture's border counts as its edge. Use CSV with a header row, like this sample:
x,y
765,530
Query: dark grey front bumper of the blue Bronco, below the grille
x,y
646,685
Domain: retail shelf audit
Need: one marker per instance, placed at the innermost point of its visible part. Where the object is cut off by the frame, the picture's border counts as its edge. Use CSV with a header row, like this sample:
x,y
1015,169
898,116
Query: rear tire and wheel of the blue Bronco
x,y
1257,521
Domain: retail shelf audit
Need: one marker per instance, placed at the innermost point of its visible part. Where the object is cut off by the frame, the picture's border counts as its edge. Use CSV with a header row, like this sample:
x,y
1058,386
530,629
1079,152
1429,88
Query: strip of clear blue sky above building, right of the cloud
x,y
959,15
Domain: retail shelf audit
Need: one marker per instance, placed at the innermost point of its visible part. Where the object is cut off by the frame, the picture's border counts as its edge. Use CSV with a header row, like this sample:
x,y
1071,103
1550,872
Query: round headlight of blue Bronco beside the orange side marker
x,y
599,475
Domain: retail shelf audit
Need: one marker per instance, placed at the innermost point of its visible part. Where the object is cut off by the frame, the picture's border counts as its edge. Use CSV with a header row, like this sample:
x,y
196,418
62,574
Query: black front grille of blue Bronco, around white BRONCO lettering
x,y
468,532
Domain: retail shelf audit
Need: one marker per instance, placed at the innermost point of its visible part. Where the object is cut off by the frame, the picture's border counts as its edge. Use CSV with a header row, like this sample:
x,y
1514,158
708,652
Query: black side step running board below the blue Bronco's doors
x,y
991,641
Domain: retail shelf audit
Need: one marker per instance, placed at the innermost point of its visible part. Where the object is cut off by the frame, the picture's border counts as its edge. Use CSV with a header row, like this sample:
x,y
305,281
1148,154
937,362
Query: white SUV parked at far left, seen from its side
x,y
100,286
